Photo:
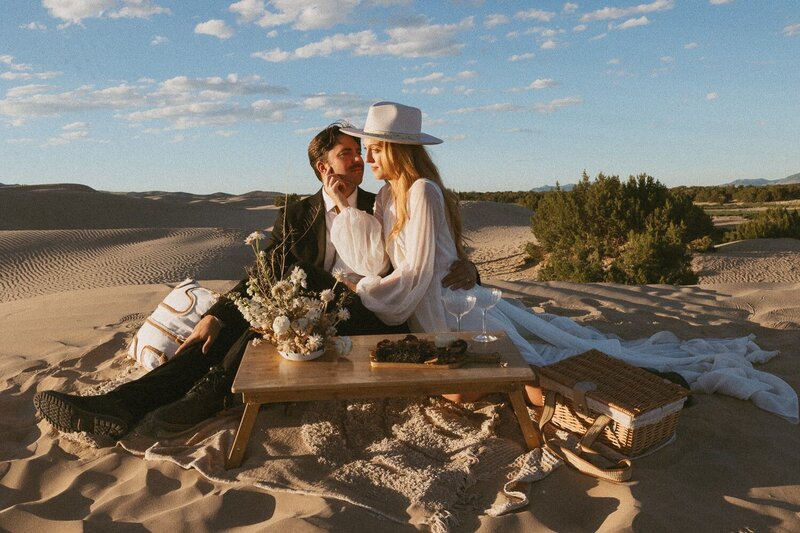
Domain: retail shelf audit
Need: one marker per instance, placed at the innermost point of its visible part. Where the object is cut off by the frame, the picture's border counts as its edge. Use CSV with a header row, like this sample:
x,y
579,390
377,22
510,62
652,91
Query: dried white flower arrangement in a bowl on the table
x,y
285,312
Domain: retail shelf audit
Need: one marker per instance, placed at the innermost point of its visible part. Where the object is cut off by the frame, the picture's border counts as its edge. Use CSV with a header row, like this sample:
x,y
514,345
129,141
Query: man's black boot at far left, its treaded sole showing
x,y
97,415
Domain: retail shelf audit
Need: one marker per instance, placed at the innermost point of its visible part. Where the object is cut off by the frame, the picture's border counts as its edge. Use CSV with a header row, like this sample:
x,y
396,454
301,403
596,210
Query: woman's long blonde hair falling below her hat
x,y
406,164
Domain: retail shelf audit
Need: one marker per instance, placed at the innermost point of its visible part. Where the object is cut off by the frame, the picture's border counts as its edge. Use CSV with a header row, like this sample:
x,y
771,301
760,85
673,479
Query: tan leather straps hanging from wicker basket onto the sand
x,y
610,471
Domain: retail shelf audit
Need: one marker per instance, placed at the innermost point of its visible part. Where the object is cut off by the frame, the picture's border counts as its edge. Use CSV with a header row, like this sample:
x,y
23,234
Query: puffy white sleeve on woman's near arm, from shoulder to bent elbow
x,y
395,298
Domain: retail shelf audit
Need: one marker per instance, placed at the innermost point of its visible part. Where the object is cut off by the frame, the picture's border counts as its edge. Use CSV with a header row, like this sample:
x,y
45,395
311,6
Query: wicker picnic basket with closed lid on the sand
x,y
643,408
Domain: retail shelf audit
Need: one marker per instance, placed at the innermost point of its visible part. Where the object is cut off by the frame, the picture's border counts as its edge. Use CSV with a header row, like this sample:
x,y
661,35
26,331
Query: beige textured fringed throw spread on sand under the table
x,y
412,460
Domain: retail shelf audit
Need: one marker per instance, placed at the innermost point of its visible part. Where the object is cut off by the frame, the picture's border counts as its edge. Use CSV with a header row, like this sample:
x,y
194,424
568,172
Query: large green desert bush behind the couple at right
x,y
632,232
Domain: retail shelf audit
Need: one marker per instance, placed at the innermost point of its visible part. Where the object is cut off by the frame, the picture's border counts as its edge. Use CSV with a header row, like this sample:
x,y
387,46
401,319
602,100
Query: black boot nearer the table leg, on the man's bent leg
x,y
209,396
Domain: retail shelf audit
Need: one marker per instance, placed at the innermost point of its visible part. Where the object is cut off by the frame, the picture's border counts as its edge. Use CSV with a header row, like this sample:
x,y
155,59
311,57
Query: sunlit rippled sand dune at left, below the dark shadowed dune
x,y
39,262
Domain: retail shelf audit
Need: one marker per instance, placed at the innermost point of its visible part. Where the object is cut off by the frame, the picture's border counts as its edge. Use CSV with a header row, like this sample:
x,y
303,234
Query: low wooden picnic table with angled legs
x,y
265,377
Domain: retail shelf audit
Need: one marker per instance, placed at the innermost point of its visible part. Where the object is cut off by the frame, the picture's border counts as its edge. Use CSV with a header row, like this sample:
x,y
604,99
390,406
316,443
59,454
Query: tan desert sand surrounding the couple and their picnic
x,y
80,269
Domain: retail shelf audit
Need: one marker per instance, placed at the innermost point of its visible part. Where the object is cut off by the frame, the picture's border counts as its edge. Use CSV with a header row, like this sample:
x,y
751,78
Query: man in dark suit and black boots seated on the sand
x,y
196,383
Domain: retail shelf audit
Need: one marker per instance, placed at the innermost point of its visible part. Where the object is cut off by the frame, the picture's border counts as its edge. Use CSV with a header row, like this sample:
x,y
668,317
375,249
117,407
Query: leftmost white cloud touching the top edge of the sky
x,y
74,11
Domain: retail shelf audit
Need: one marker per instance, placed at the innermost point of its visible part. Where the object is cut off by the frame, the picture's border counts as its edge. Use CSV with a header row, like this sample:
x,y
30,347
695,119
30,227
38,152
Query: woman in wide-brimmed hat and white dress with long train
x,y
417,228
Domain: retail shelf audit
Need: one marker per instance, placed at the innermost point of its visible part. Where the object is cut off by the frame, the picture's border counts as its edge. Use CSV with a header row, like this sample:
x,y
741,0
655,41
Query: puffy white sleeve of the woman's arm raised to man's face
x,y
358,239
